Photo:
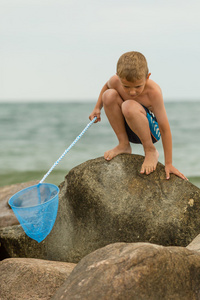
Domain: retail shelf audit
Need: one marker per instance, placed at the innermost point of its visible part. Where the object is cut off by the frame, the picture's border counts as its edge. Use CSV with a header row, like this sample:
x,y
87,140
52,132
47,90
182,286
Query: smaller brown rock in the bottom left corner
x,y
26,278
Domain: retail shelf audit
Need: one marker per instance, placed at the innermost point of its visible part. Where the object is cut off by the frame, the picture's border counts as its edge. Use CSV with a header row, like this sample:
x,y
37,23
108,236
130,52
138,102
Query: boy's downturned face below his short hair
x,y
133,89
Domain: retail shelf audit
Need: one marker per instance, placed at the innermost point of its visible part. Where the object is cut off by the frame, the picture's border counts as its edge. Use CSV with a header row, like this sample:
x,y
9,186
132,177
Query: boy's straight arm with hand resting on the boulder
x,y
161,115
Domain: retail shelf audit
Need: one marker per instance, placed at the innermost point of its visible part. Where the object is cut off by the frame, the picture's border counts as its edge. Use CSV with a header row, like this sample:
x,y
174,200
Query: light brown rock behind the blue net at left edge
x,y
7,217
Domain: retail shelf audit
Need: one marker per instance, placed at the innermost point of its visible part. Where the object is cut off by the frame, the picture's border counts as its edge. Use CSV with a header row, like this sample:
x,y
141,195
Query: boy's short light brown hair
x,y
132,66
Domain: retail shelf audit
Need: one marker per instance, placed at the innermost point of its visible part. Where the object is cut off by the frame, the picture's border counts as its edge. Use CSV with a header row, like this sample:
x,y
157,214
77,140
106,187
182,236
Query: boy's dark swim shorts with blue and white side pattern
x,y
153,125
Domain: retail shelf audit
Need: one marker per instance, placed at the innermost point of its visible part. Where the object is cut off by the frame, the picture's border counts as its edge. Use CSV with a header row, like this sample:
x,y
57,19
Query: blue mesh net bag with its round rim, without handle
x,y
36,209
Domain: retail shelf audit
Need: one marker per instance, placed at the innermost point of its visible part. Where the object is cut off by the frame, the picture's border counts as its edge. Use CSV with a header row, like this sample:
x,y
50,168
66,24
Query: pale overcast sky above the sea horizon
x,y
65,50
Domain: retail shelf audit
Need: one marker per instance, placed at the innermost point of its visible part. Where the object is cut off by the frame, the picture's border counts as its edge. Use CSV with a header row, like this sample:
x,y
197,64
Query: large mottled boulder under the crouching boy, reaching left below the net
x,y
105,202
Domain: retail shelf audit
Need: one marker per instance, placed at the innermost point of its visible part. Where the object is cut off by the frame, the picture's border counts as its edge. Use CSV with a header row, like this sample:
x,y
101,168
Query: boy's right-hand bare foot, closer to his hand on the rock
x,y
150,162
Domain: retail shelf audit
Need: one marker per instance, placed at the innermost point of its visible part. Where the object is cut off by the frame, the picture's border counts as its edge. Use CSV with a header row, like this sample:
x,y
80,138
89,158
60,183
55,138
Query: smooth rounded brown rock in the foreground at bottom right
x,y
134,272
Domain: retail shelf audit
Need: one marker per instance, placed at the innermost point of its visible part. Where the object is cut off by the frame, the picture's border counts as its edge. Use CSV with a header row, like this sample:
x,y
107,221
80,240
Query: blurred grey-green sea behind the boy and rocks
x,y
34,135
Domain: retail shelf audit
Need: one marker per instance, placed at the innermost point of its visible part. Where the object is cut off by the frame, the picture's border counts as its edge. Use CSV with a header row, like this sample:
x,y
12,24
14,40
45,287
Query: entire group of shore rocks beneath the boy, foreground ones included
x,y
118,235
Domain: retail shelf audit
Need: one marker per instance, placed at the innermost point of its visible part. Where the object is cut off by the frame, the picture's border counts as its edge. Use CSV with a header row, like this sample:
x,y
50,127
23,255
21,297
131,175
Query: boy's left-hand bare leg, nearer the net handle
x,y
112,103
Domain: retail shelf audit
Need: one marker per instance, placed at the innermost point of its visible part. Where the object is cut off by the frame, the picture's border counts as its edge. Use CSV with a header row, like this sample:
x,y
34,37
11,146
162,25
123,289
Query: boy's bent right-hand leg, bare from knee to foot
x,y
135,116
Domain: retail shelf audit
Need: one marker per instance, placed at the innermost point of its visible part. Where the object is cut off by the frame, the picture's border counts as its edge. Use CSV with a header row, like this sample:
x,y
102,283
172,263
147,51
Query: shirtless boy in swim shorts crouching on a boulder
x,y
134,106
